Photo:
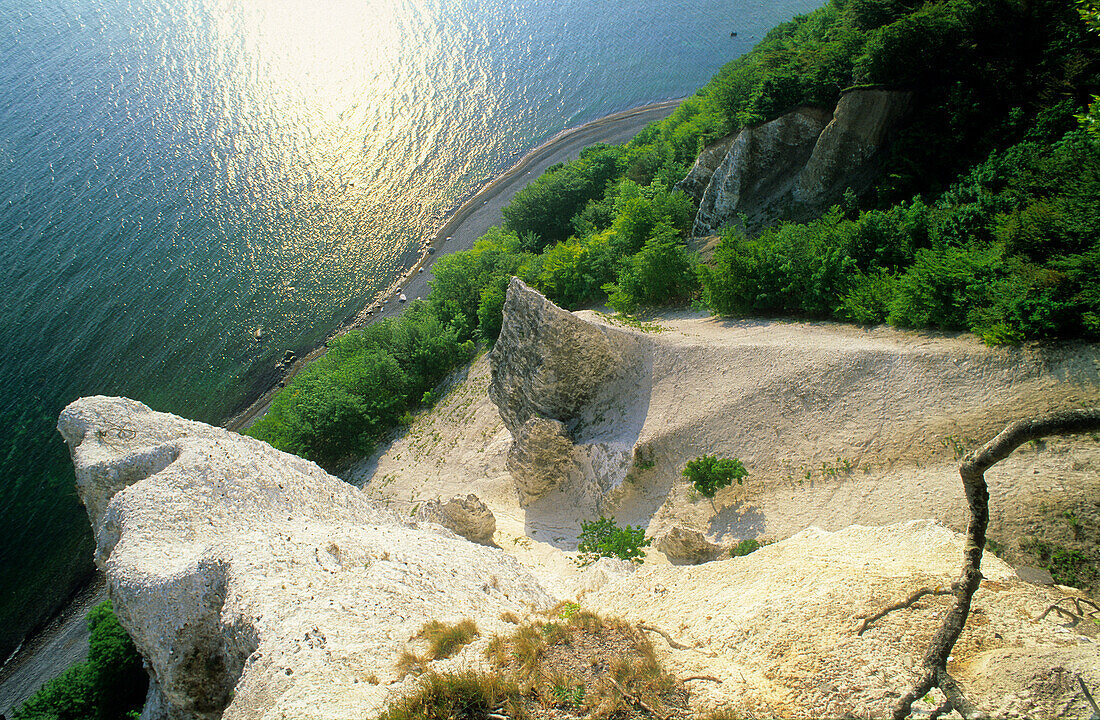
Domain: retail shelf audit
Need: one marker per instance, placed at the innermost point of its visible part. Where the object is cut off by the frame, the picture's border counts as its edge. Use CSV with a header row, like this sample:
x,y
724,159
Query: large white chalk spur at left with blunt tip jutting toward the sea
x,y
257,585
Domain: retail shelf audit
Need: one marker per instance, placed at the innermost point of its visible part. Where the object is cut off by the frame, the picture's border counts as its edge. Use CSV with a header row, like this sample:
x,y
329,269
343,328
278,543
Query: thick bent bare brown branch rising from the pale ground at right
x,y
973,472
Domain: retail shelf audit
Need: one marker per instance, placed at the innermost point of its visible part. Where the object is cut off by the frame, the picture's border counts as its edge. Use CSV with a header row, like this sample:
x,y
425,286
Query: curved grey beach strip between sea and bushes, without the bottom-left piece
x,y
452,239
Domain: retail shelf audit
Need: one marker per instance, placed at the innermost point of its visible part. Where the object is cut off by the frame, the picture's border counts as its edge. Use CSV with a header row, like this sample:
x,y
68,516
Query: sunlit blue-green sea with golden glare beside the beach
x,y
177,174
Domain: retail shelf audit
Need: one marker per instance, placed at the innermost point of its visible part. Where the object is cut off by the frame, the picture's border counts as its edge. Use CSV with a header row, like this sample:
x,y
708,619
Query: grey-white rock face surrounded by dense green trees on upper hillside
x,y
798,165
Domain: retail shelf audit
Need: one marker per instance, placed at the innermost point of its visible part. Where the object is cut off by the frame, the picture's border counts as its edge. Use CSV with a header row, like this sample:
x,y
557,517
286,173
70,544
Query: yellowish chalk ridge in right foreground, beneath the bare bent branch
x,y
780,628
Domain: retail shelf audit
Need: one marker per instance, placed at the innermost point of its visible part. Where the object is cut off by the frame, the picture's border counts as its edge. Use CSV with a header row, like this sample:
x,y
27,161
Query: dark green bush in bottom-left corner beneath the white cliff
x,y
109,685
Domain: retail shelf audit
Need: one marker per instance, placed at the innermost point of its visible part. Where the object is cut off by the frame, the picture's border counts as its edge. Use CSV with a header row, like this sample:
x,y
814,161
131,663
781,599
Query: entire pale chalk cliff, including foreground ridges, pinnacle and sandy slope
x,y
258,586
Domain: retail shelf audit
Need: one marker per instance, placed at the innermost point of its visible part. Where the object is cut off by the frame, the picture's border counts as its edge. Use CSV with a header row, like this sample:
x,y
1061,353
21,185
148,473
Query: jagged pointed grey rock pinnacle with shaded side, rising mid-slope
x,y
574,395
